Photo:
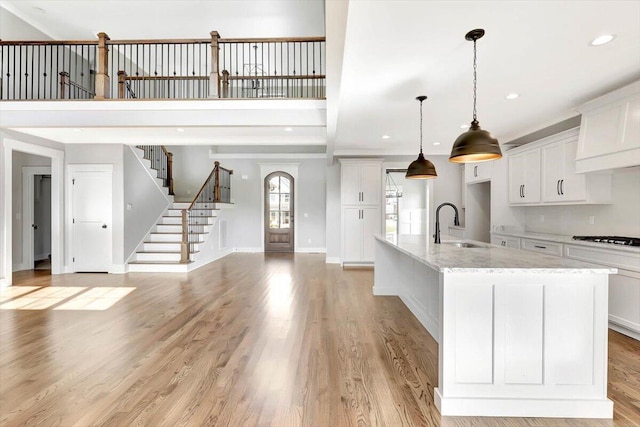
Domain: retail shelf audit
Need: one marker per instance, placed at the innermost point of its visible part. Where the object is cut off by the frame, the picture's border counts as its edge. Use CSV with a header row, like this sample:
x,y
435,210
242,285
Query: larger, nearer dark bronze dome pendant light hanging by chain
x,y
475,145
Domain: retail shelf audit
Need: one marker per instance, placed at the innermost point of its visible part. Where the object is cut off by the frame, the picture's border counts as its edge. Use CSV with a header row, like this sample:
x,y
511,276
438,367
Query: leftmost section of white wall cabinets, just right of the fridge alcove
x,y
524,177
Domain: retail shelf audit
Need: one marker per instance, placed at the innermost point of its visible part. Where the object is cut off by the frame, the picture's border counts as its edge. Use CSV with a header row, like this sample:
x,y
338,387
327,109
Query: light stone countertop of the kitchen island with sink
x,y
488,259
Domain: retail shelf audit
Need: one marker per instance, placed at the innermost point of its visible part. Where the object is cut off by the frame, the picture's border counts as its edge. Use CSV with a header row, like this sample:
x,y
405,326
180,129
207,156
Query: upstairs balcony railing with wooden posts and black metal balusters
x,y
163,69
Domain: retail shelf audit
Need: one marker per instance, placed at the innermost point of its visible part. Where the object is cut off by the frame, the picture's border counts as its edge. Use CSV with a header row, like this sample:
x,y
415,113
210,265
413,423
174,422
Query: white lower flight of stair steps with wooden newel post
x,y
160,251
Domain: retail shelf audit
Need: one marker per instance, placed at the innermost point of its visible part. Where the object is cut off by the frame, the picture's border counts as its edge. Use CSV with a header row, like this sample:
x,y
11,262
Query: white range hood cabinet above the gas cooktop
x,y
610,131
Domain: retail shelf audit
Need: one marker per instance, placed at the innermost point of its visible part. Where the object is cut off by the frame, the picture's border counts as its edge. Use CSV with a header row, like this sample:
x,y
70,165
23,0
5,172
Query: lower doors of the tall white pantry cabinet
x,y
360,225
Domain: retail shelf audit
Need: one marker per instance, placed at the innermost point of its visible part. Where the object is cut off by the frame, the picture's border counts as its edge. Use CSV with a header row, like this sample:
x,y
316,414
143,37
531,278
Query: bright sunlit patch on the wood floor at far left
x,y
65,297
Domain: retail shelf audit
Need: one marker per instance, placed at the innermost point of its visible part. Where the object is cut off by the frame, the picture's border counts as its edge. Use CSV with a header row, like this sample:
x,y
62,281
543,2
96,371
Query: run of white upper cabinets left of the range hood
x,y
543,172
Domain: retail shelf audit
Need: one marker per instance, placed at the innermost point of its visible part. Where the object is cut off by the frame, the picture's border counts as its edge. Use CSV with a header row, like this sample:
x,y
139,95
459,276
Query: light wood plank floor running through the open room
x,y
248,340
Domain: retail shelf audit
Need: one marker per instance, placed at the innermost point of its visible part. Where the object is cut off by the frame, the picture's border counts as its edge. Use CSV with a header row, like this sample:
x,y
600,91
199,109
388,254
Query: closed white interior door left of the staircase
x,y
92,220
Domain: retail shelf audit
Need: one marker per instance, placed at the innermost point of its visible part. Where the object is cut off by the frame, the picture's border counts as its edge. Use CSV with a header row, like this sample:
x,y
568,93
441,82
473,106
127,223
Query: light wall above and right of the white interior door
x,y
105,154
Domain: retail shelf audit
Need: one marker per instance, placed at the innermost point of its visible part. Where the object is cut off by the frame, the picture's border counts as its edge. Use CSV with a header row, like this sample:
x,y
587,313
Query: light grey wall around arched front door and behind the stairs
x,y
192,165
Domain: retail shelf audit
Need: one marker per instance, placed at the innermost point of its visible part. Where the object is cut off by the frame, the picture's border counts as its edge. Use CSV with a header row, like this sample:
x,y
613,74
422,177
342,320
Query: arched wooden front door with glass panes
x,y
278,212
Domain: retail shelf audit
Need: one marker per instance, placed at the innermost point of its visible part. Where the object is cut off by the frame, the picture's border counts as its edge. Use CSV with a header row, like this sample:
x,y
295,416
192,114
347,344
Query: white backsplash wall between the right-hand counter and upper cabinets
x,y
621,218
